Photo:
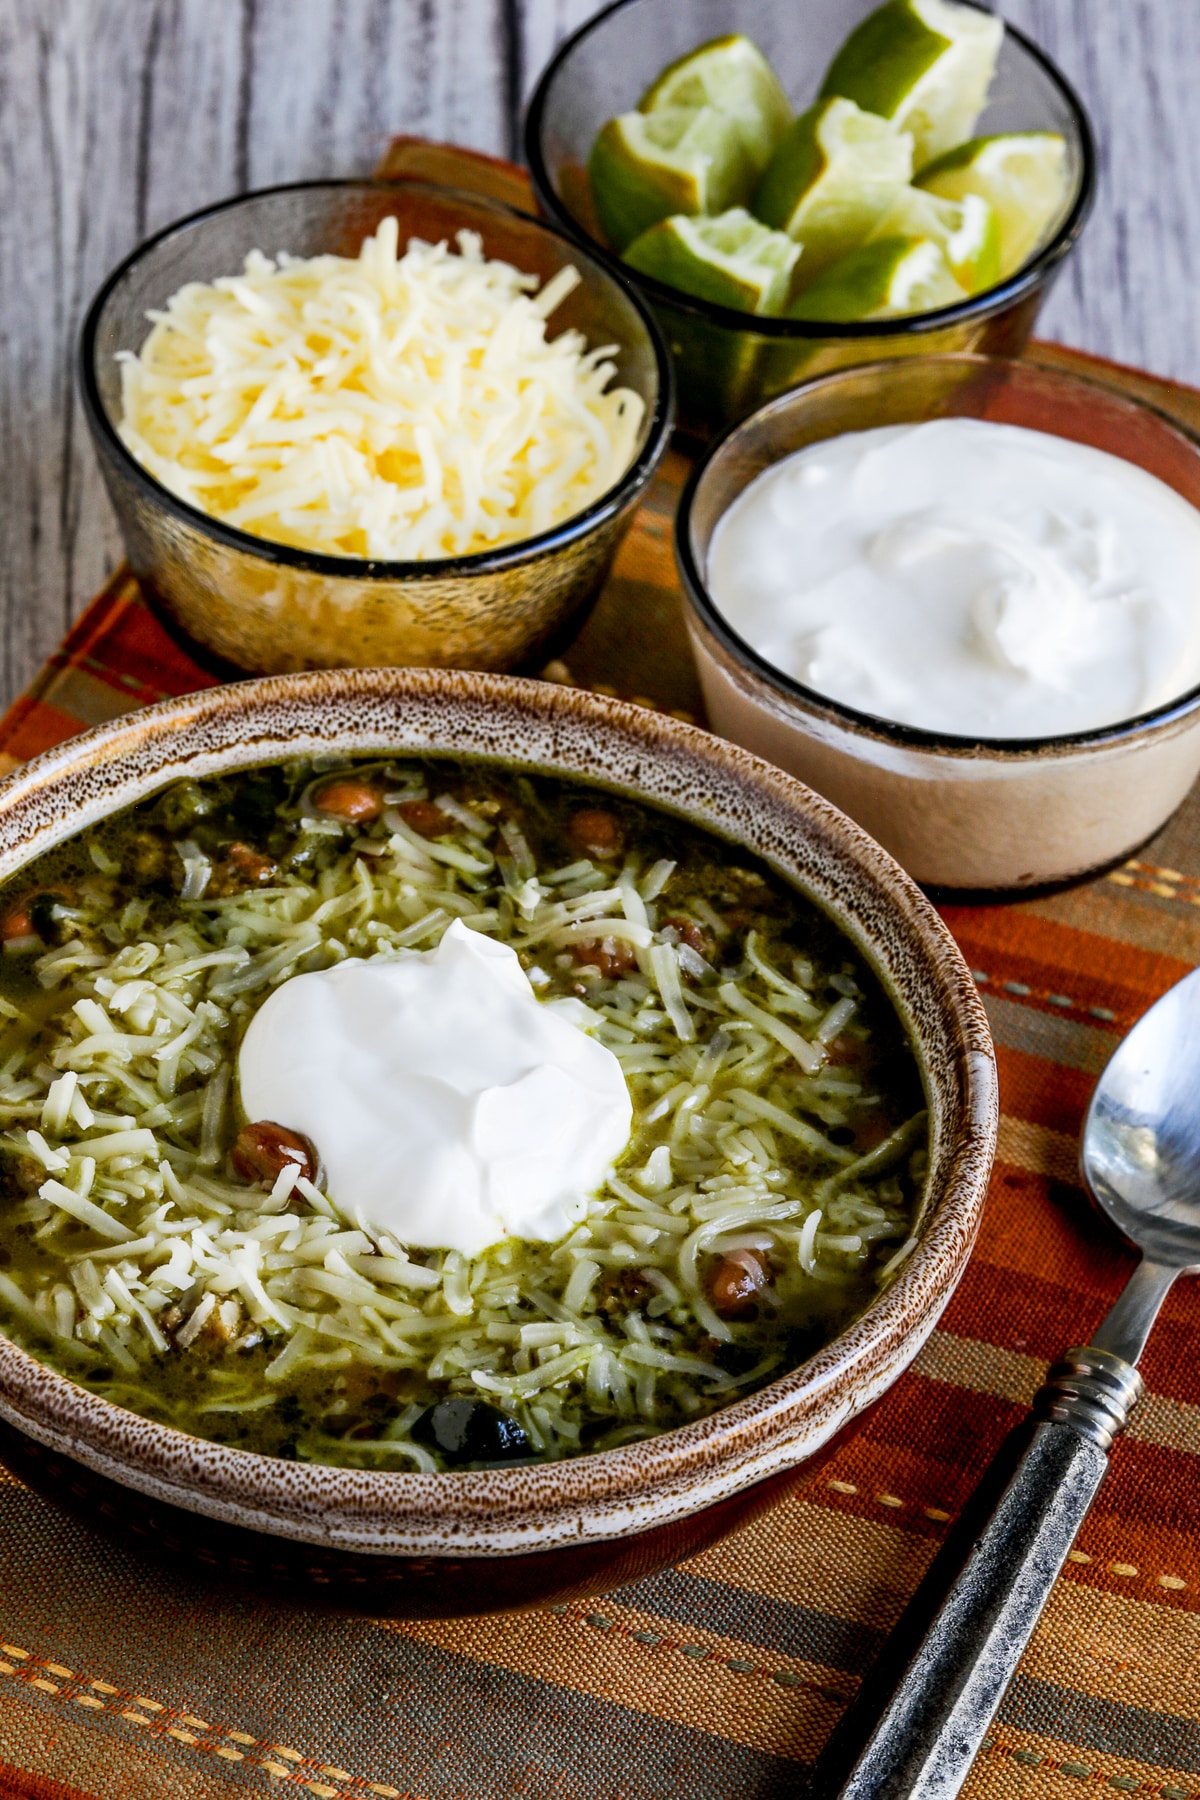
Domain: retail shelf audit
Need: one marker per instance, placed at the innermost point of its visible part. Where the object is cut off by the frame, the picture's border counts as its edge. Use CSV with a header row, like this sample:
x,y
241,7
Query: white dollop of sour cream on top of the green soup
x,y
449,1106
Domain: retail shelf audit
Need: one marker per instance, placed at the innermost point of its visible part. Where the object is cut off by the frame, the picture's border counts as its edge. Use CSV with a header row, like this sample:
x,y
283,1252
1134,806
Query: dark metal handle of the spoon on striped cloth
x,y
927,1704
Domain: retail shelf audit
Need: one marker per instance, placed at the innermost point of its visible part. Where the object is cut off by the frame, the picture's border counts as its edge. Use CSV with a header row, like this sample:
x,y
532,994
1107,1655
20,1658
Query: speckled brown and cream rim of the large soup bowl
x,y
686,771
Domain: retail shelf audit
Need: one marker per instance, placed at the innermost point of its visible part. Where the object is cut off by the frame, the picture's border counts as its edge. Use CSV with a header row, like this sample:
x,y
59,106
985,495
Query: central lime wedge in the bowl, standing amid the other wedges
x,y
834,177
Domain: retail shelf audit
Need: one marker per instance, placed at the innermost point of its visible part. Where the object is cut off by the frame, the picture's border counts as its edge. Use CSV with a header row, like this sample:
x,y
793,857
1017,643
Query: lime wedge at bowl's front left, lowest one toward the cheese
x,y
731,260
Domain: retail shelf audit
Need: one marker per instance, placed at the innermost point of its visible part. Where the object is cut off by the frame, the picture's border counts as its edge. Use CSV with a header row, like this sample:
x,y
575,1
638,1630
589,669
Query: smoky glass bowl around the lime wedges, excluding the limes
x,y
730,363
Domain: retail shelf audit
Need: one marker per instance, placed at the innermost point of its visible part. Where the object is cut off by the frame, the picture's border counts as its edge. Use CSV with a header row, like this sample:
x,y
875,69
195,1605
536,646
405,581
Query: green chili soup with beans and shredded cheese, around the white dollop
x,y
190,1264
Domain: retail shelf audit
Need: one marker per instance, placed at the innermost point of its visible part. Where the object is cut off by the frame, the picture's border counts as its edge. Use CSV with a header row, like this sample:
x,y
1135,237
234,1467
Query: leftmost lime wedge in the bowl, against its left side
x,y
647,166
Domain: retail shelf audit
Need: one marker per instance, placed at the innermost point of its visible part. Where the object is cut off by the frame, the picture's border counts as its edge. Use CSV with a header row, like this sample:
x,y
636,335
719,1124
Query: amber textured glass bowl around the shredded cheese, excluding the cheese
x,y
267,607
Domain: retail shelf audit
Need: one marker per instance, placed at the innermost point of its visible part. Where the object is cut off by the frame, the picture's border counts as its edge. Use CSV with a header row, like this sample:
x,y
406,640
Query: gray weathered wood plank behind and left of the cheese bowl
x,y
116,120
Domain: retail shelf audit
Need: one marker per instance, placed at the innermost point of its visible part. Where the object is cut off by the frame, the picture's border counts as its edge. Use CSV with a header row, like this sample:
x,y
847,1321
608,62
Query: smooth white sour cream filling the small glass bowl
x,y
967,577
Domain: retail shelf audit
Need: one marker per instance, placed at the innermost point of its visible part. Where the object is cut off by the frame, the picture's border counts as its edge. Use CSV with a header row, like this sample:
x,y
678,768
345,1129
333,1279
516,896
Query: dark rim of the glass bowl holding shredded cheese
x,y
661,415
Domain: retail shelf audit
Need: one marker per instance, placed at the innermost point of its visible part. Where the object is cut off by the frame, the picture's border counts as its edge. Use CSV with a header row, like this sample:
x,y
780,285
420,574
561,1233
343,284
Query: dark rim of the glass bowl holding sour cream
x,y
870,724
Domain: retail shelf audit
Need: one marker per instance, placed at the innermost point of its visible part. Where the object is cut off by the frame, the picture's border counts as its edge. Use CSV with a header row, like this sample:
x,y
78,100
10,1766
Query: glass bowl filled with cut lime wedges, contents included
x,y
798,186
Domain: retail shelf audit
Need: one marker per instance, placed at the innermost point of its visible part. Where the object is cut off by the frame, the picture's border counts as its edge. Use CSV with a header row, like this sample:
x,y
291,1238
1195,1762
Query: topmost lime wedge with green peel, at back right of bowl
x,y
922,64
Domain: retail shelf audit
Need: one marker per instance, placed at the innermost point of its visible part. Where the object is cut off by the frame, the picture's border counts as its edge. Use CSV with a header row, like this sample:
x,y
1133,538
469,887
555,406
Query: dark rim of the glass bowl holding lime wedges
x,y
801,330
